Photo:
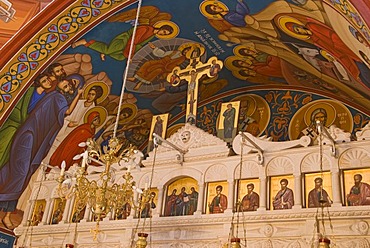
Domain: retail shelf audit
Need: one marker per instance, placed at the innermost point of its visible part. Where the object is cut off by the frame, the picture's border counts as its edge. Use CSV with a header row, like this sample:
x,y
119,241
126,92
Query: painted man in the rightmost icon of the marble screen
x,y
360,192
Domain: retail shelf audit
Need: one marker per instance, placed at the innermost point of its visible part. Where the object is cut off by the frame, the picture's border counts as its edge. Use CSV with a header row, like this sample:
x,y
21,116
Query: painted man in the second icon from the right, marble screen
x,y
318,196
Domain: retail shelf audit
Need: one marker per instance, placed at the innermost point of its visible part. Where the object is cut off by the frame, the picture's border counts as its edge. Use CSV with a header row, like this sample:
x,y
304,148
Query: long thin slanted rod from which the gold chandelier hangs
x,y
127,66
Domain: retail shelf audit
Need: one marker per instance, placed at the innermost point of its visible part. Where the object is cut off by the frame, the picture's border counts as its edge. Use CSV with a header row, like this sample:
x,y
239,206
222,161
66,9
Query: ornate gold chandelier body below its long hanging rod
x,y
104,195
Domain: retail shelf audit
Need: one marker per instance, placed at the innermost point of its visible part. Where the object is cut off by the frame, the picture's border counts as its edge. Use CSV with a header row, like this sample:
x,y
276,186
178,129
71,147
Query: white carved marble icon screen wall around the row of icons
x,y
208,162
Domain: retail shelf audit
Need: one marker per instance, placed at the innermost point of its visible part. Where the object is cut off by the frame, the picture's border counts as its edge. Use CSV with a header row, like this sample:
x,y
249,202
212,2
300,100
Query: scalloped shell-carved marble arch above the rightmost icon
x,y
354,158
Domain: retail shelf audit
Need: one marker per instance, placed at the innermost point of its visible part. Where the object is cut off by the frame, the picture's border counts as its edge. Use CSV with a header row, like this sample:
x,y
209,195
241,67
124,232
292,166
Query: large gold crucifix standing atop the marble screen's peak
x,y
192,73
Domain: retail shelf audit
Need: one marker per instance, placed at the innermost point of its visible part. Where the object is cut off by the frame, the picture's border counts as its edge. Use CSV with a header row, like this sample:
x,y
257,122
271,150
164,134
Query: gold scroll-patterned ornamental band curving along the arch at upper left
x,y
48,41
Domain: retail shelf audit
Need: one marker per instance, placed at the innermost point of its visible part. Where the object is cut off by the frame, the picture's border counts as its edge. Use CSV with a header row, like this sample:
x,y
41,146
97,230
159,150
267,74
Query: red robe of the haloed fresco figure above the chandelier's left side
x,y
69,147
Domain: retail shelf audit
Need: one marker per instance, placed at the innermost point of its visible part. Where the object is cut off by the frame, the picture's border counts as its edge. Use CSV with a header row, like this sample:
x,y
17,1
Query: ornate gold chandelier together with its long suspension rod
x,y
105,195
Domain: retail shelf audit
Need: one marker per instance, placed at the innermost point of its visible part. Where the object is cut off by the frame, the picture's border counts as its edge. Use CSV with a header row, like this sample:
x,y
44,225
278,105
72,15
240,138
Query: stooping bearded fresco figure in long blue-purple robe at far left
x,y
32,143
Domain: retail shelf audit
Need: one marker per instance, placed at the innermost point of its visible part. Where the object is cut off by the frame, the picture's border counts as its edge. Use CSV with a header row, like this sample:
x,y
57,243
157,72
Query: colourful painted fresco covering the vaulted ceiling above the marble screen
x,y
270,68
